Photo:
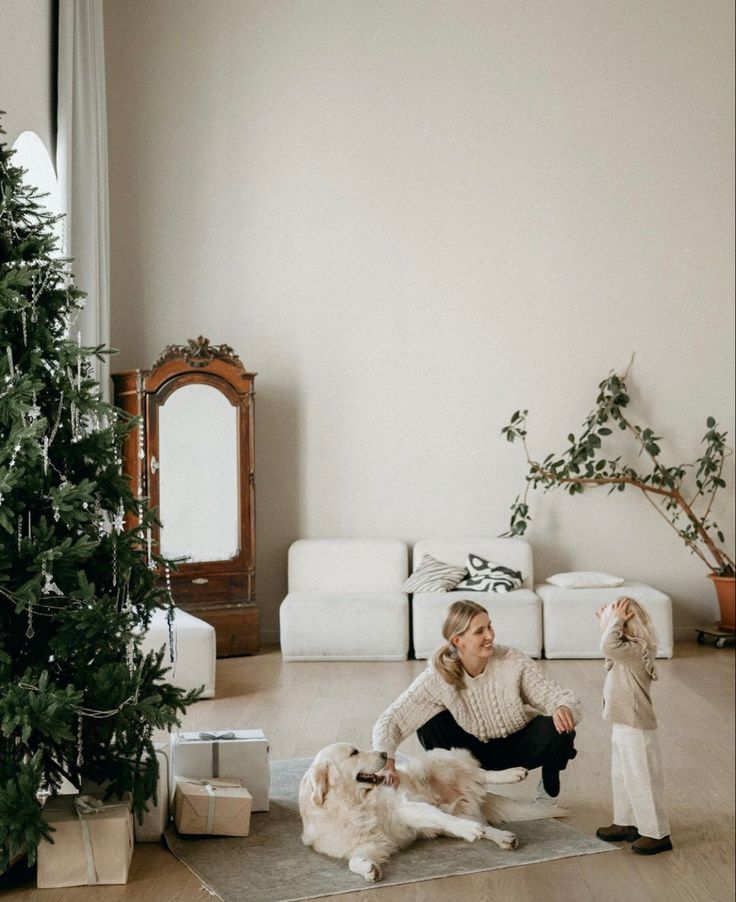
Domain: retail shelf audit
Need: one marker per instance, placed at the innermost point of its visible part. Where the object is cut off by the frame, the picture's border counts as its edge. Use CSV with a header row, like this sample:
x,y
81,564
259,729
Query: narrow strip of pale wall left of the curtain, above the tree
x,y
28,69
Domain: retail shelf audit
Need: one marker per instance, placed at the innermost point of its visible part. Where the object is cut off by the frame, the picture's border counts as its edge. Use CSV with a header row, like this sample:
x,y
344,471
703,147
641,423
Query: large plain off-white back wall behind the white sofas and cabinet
x,y
412,218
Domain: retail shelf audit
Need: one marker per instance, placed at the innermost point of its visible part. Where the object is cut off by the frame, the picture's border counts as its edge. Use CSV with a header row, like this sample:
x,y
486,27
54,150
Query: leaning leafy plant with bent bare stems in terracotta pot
x,y
683,494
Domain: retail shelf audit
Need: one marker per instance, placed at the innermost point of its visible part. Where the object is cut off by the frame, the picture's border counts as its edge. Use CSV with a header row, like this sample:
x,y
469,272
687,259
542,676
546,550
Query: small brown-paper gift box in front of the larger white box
x,y
220,807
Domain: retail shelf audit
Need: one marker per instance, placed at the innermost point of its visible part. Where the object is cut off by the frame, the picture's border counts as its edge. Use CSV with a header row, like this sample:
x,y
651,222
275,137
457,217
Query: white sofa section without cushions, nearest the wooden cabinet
x,y
345,601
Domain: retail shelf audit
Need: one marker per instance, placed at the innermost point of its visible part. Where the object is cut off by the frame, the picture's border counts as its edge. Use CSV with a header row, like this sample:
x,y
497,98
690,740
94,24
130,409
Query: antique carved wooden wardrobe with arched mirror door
x,y
193,457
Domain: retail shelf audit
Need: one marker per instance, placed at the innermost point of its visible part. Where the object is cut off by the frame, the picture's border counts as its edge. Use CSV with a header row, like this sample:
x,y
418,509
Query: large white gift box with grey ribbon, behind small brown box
x,y
241,754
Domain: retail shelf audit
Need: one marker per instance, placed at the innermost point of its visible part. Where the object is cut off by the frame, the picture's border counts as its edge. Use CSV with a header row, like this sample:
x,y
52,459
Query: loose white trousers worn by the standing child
x,y
638,787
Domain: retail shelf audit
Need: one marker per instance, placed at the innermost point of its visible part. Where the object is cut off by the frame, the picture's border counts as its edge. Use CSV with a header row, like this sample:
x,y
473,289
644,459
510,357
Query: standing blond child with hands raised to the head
x,y
630,645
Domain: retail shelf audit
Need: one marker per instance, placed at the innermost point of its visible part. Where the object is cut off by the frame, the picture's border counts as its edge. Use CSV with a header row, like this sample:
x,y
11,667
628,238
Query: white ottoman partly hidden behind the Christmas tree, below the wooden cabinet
x,y
195,650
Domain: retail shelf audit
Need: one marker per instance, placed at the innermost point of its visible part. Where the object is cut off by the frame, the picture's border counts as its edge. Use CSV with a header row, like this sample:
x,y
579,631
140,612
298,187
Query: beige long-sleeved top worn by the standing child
x,y
627,690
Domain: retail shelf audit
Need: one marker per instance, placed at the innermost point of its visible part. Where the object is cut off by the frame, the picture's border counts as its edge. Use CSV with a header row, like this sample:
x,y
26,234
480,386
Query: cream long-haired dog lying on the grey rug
x,y
348,813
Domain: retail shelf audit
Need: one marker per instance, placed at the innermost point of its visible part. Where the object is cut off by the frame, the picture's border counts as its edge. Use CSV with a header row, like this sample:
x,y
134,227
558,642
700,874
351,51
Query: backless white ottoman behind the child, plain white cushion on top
x,y
571,629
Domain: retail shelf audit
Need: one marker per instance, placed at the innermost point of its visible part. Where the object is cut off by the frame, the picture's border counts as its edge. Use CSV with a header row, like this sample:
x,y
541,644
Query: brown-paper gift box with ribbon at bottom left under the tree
x,y
93,842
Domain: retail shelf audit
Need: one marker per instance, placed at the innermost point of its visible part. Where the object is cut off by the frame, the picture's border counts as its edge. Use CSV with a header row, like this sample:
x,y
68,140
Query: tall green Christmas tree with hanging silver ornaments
x,y
77,697
